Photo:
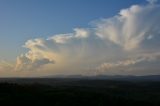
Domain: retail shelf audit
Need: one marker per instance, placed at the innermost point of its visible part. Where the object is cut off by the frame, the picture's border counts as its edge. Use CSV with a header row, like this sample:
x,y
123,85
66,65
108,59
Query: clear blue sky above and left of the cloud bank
x,y
22,20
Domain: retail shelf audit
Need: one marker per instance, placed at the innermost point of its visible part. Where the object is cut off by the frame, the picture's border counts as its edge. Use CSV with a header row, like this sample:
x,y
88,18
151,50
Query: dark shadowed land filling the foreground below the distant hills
x,y
81,93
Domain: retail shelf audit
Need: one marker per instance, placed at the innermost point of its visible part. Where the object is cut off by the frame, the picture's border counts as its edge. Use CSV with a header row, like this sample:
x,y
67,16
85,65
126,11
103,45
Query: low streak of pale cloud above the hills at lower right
x,y
133,64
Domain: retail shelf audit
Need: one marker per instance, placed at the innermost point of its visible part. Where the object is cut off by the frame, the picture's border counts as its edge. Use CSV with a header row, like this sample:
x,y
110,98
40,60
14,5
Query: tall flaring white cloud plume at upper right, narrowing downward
x,y
130,28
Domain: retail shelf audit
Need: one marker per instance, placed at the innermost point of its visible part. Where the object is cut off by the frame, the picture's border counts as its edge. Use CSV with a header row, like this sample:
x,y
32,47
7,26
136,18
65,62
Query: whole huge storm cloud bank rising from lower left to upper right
x,y
115,37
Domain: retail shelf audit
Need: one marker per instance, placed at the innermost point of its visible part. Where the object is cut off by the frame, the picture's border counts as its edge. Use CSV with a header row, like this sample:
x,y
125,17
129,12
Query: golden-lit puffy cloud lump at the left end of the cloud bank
x,y
36,56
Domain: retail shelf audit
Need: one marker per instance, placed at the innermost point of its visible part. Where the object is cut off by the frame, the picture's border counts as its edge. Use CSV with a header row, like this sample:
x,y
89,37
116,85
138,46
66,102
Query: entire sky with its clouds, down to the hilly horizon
x,y
99,37
